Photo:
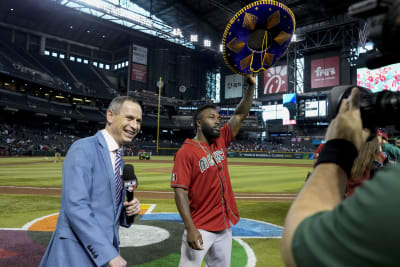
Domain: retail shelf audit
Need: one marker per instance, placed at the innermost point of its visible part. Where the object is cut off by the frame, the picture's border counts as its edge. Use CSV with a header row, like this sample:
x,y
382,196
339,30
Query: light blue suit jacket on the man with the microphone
x,y
87,228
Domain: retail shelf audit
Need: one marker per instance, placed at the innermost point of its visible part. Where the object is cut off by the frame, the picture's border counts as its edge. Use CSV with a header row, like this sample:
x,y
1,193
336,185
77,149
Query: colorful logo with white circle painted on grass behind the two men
x,y
153,231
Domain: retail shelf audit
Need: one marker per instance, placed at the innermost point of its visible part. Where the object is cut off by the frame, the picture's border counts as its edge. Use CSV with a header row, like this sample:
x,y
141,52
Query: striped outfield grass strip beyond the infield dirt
x,y
156,176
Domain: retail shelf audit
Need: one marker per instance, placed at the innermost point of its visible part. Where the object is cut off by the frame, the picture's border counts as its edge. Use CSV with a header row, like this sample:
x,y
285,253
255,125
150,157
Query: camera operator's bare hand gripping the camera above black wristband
x,y
347,124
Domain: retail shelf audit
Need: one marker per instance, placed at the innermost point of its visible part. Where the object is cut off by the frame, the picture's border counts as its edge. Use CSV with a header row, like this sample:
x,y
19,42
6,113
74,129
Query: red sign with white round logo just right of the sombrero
x,y
275,80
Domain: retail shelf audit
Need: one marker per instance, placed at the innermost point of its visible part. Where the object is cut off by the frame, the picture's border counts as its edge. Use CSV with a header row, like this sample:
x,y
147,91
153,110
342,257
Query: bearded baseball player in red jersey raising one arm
x,y
203,191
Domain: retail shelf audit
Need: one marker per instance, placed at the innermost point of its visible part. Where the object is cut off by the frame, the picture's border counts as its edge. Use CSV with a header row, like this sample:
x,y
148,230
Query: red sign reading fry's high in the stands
x,y
325,72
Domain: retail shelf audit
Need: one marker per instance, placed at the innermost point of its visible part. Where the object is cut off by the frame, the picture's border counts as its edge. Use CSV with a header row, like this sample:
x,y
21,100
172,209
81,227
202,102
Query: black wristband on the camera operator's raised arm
x,y
340,152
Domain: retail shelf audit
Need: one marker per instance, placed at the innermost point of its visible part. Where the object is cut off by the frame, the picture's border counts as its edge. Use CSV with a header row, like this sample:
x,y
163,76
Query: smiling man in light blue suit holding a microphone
x,y
92,203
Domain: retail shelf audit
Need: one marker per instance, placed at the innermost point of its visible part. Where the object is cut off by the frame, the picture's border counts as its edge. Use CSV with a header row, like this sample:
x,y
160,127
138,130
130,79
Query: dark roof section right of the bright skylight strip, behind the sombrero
x,y
208,18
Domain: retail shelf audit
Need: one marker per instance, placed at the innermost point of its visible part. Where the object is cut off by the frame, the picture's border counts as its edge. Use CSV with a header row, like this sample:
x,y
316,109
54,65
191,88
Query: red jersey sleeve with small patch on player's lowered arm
x,y
182,170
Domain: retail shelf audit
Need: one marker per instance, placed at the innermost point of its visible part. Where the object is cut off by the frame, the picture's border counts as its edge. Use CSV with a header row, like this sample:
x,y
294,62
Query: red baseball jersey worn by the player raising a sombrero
x,y
203,171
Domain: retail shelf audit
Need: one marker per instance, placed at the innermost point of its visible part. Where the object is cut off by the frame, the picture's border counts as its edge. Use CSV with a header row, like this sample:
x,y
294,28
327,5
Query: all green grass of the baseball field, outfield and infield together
x,y
16,210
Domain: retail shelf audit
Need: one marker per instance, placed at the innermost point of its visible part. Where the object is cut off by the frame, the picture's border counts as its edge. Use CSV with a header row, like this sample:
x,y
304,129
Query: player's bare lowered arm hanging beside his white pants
x,y
194,237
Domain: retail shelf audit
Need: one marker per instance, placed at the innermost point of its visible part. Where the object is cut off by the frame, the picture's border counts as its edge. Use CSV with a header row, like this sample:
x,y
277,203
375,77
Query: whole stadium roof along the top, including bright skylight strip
x,y
205,18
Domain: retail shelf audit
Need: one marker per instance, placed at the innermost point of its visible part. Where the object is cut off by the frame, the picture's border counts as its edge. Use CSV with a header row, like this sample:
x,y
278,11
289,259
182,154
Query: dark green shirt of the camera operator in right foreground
x,y
362,231
